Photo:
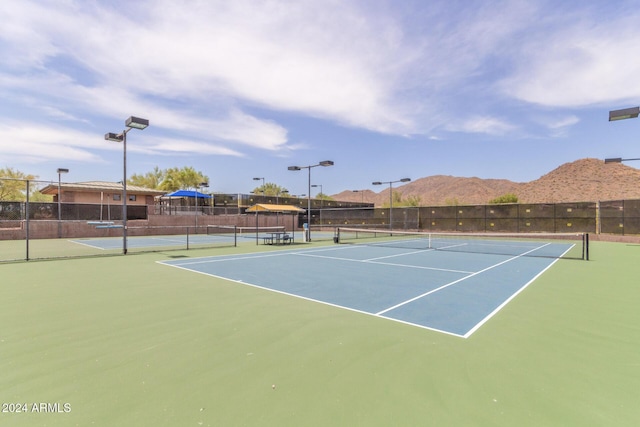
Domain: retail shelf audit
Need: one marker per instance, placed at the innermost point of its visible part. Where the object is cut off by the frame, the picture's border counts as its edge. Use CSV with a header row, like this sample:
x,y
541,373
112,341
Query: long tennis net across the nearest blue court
x,y
548,245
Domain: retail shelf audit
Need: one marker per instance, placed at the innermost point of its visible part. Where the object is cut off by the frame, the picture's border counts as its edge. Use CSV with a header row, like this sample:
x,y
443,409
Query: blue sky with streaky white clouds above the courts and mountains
x,y
386,89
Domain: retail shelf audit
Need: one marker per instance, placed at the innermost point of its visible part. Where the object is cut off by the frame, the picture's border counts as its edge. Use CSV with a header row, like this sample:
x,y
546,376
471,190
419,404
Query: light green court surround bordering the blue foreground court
x,y
125,341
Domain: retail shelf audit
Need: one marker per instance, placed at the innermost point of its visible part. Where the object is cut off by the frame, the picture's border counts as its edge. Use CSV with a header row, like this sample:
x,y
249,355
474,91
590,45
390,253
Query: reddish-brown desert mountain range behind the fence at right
x,y
580,181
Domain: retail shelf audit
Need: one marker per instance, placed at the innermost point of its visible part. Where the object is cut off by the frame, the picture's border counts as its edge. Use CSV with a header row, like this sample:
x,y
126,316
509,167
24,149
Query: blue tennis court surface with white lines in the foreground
x,y
449,292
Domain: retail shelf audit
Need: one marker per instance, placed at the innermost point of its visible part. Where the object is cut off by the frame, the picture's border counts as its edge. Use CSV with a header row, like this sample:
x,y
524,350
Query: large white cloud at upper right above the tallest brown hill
x,y
584,60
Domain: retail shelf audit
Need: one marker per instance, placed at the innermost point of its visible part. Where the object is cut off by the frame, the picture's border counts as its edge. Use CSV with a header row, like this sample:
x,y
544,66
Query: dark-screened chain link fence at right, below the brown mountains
x,y
621,217
